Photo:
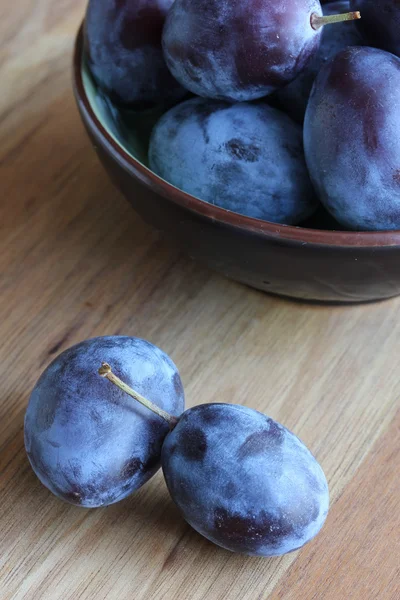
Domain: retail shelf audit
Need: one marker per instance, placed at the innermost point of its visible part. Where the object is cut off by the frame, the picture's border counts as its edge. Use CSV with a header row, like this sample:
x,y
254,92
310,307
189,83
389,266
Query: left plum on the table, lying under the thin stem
x,y
86,440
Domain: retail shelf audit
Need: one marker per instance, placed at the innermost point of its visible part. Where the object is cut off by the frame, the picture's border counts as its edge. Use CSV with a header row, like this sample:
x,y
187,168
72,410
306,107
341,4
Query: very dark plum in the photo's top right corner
x,y
380,23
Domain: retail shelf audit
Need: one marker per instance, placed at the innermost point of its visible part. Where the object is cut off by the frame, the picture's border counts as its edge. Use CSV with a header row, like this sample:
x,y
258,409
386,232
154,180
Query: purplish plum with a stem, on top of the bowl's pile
x,y
238,51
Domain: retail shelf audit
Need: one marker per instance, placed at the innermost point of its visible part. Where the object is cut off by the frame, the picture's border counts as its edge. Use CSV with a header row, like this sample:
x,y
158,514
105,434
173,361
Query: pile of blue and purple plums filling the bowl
x,y
244,154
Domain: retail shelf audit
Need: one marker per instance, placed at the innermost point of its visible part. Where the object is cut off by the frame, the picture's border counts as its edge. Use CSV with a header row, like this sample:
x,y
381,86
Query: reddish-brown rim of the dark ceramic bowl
x,y
356,239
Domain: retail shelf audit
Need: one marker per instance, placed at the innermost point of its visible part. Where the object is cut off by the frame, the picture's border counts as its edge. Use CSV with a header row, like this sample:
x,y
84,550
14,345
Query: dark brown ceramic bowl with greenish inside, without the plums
x,y
311,264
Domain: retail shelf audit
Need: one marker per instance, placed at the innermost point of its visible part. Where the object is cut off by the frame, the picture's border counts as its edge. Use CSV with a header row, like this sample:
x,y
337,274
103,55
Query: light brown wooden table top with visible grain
x,y
76,262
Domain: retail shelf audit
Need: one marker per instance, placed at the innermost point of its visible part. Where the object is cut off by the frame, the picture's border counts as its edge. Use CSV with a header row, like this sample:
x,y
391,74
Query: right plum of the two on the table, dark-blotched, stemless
x,y
244,481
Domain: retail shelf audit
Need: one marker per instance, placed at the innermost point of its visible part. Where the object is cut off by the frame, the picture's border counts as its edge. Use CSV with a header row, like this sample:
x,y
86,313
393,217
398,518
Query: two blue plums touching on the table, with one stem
x,y
239,478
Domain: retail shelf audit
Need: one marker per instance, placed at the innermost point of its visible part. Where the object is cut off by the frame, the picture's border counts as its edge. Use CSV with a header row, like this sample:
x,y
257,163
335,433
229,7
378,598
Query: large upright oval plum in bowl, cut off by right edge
x,y
352,138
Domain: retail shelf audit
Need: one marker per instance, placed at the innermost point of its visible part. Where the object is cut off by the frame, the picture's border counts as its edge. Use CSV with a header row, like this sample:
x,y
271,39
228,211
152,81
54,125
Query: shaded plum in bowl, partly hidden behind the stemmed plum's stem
x,y
293,97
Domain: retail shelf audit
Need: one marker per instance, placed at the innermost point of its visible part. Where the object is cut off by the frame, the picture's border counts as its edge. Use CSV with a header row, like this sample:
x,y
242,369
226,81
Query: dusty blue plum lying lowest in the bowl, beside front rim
x,y
247,158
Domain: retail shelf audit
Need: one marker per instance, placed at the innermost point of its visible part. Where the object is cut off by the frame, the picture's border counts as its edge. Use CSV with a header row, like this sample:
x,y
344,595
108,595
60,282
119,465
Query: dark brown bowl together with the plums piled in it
x,y
262,136
